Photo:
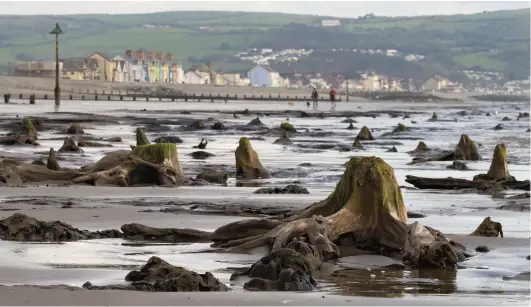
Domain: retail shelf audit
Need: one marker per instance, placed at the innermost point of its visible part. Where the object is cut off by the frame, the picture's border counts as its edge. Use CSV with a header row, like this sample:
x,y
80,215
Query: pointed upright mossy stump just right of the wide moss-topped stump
x,y
248,165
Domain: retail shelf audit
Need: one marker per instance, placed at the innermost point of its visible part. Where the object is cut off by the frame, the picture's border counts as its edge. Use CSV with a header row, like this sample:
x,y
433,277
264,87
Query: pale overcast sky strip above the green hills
x,y
329,8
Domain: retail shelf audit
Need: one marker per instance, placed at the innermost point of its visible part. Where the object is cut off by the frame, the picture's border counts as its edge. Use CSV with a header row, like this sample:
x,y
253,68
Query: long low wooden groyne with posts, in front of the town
x,y
103,96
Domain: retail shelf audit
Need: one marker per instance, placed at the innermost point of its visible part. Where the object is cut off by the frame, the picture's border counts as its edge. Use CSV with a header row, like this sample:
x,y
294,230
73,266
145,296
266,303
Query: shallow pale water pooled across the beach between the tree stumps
x,y
448,211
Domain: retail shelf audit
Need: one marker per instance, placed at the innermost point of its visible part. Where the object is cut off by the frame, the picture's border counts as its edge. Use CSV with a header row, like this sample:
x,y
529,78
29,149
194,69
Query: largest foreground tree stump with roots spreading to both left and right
x,y
366,203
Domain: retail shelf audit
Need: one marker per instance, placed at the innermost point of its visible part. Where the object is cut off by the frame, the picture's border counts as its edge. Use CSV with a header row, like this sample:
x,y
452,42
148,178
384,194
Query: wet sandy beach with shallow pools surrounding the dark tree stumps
x,y
53,273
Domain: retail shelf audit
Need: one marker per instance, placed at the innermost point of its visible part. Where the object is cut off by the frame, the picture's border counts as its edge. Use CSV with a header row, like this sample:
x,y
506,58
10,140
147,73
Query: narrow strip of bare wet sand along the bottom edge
x,y
30,296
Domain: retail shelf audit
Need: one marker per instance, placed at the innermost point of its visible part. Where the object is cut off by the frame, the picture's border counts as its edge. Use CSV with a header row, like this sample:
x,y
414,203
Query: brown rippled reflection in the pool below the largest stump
x,y
392,283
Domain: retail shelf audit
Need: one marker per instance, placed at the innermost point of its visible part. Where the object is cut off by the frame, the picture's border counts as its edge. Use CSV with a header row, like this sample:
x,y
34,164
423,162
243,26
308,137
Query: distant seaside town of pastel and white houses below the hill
x,y
149,67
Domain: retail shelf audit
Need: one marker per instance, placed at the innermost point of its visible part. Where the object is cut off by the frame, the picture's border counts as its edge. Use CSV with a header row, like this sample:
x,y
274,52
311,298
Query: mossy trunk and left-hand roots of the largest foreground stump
x,y
367,201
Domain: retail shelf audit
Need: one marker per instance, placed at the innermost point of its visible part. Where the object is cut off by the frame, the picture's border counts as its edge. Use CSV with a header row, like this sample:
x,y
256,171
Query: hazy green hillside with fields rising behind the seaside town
x,y
497,41
